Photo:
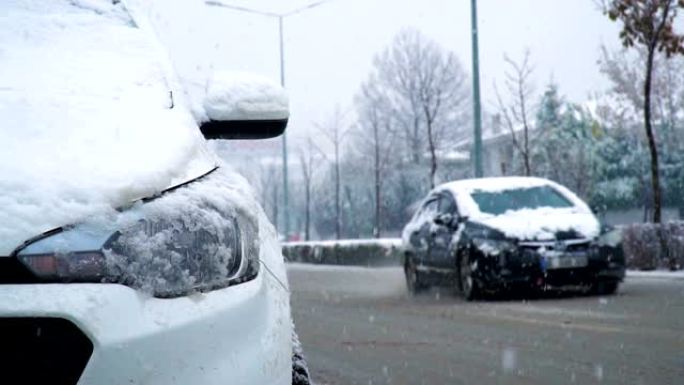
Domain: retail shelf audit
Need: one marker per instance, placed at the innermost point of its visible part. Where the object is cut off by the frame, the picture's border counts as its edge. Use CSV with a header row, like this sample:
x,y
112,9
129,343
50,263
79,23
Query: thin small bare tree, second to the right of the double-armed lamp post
x,y
334,131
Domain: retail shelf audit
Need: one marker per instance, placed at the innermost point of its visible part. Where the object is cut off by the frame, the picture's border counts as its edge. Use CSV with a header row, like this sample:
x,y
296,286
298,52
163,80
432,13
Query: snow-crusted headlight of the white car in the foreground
x,y
194,251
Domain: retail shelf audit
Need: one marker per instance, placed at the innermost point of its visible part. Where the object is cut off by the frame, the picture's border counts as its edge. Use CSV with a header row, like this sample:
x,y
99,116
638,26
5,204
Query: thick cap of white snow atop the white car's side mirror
x,y
241,96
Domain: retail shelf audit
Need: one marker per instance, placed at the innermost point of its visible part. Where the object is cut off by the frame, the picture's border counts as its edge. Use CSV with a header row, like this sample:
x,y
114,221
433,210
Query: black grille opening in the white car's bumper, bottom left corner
x,y
42,351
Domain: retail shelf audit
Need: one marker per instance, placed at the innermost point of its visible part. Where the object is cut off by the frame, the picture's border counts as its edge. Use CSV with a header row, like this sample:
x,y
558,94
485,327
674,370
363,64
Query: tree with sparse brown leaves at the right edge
x,y
650,24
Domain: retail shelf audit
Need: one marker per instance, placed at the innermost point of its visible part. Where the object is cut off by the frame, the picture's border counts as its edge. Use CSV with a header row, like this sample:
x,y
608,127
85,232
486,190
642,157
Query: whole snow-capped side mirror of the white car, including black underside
x,y
244,106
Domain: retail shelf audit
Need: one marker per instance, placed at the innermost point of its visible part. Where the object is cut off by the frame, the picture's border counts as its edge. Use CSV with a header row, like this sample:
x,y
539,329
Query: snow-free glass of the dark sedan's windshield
x,y
517,199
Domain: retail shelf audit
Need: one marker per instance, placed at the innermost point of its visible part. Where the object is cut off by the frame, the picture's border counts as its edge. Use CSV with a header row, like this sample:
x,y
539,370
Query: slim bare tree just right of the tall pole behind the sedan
x,y
516,111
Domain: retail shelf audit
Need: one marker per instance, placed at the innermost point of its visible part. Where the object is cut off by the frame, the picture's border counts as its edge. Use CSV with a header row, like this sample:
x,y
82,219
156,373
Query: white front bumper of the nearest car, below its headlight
x,y
238,335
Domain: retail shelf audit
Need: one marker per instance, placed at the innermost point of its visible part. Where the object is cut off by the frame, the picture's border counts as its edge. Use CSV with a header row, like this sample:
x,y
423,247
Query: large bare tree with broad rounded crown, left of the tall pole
x,y
425,88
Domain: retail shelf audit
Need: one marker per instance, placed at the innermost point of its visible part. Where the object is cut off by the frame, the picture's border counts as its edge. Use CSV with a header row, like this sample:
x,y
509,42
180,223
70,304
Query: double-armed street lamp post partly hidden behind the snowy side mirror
x,y
281,17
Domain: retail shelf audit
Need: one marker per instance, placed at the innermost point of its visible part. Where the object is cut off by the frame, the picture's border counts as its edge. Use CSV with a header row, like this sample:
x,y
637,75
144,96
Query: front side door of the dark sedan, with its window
x,y
440,234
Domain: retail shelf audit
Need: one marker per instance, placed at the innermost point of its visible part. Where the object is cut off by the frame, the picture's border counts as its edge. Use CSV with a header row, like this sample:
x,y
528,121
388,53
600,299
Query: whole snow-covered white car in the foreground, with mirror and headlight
x,y
129,254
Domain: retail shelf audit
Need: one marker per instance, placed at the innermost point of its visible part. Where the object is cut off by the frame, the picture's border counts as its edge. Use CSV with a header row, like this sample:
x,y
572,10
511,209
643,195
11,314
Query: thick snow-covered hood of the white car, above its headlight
x,y
90,117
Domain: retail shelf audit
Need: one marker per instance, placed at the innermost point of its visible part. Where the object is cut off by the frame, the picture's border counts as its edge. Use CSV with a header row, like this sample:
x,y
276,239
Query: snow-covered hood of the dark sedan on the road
x,y
543,224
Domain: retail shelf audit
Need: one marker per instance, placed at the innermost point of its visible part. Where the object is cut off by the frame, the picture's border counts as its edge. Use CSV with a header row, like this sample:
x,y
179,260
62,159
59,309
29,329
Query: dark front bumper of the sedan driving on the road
x,y
528,267
